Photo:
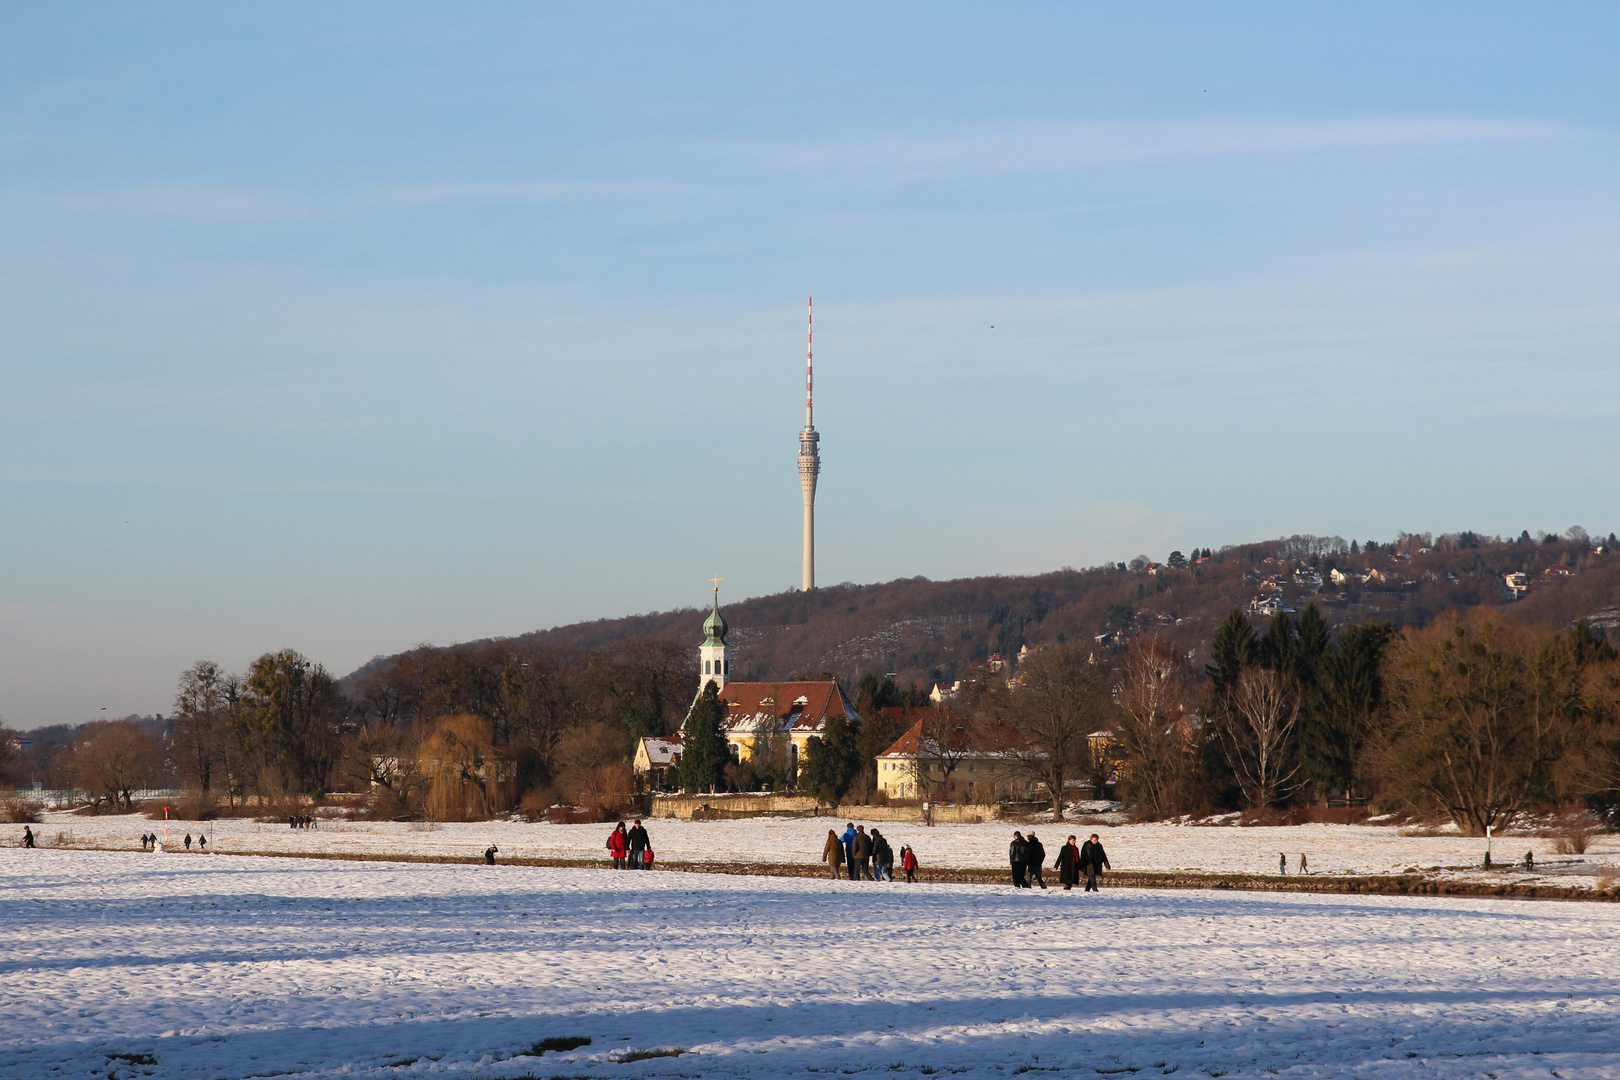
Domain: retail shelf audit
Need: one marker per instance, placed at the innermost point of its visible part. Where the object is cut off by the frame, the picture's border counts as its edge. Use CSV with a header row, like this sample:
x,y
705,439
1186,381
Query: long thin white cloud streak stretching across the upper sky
x,y
697,169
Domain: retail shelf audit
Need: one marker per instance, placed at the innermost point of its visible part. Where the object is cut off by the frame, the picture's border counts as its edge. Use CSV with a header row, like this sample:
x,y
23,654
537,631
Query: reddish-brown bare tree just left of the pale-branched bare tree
x,y
1151,726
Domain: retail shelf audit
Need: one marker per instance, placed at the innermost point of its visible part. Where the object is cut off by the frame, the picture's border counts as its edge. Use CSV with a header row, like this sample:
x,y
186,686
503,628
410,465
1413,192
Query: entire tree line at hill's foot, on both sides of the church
x,y
1473,716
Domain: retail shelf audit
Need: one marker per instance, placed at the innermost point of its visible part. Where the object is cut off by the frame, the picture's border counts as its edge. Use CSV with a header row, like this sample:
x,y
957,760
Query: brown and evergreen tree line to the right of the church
x,y
1473,718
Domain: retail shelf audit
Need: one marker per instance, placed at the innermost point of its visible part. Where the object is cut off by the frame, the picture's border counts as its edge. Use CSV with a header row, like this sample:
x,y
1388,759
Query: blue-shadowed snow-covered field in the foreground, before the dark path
x,y
126,964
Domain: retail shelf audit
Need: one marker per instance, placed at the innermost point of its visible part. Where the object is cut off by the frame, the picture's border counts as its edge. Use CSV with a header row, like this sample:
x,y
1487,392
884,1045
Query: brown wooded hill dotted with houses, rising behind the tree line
x,y
927,632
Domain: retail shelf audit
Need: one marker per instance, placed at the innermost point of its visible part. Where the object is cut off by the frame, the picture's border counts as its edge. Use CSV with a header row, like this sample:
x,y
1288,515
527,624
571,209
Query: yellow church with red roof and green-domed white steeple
x,y
767,718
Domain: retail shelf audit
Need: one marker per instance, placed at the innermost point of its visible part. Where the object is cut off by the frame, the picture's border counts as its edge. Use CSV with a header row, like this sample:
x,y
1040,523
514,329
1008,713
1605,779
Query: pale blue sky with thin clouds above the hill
x,y
349,328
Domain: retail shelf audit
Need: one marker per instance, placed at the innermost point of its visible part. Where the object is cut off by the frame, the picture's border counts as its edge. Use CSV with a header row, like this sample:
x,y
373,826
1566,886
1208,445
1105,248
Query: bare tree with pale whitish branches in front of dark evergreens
x,y
1256,728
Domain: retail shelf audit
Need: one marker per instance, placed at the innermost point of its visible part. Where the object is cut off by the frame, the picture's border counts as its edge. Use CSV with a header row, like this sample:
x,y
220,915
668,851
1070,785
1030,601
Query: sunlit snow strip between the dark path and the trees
x,y
1349,851
